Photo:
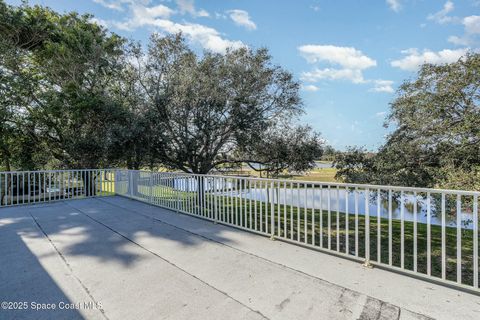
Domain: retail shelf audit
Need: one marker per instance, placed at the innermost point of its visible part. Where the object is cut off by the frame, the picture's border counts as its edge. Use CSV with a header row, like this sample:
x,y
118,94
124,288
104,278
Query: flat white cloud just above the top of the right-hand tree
x,y
414,59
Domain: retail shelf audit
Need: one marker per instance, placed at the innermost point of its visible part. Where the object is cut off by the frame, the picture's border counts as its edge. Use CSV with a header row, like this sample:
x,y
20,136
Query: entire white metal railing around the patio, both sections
x,y
429,233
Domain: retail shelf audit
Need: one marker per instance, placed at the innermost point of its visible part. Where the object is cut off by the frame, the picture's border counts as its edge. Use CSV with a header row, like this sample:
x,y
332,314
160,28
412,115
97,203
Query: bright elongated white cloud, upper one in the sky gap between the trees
x,y
347,57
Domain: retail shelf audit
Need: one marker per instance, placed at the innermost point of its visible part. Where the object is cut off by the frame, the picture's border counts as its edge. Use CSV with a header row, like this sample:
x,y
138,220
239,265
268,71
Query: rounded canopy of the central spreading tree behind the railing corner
x,y
204,109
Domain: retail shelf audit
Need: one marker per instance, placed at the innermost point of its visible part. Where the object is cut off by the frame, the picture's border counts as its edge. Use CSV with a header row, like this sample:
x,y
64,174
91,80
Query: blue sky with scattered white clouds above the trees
x,y
350,55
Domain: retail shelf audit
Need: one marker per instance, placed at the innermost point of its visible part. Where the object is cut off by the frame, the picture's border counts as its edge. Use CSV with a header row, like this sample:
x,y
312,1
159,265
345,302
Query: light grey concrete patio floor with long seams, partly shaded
x,y
115,258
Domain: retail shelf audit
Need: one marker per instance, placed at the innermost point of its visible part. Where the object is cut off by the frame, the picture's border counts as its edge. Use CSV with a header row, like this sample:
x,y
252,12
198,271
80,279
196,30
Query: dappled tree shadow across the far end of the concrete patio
x,y
100,228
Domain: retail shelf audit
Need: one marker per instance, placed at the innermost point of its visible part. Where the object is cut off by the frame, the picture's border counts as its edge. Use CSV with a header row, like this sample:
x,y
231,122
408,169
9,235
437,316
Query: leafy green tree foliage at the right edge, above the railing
x,y
436,140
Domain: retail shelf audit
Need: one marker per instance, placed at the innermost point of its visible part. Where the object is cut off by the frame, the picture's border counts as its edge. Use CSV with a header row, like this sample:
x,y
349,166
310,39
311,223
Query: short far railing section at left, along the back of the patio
x,y
24,187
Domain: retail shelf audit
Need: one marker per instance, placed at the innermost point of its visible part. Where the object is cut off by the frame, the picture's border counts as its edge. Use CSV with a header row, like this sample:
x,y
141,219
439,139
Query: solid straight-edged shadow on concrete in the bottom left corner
x,y
24,283
